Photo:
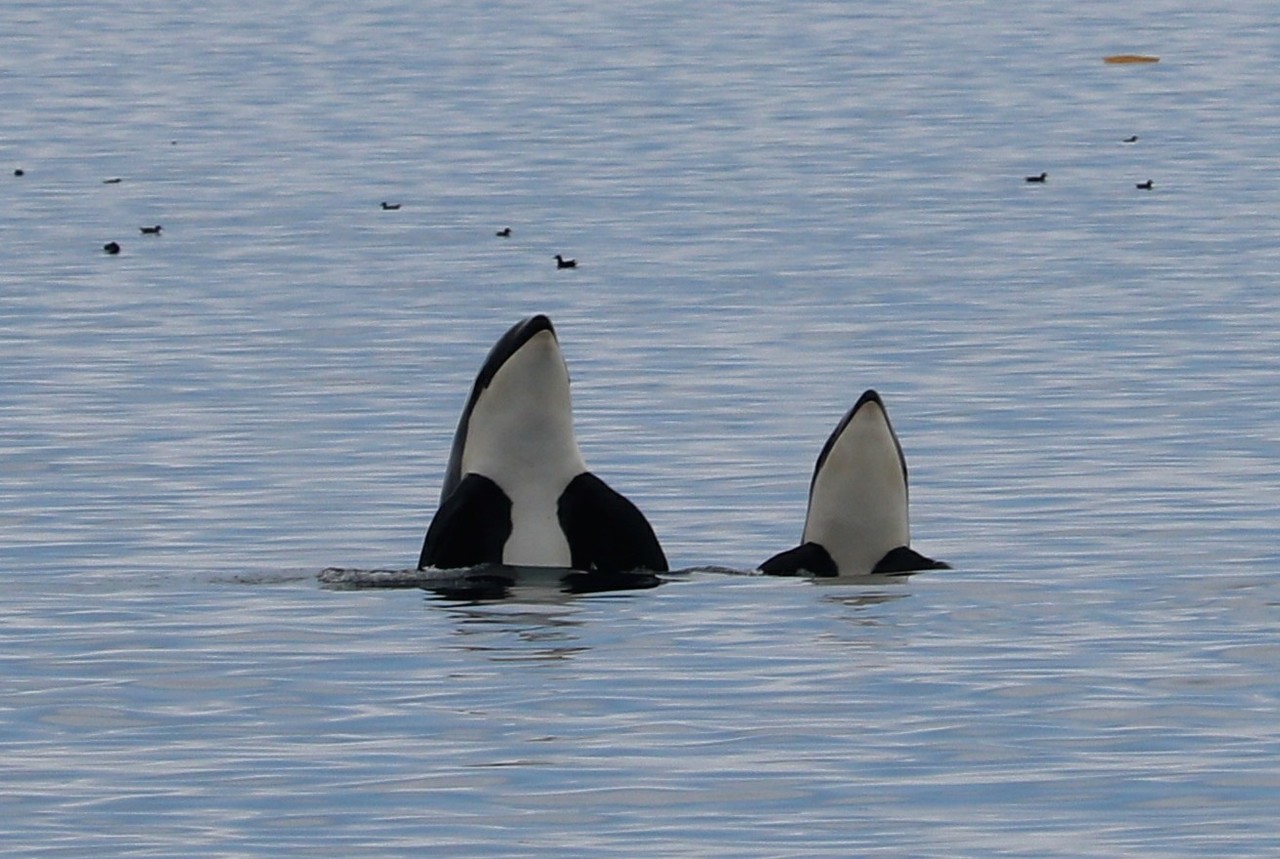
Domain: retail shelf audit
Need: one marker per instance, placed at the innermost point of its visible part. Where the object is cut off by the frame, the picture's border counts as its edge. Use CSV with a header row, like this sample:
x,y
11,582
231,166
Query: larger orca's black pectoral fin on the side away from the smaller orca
x,y
470,528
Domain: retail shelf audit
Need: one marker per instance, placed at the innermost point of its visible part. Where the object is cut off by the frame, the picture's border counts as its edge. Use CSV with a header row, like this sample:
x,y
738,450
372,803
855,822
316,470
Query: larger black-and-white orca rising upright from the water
x,y
516,491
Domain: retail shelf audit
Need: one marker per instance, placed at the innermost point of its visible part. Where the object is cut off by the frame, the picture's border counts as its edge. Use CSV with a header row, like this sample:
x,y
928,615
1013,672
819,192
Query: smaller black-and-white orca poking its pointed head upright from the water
x,y
858,504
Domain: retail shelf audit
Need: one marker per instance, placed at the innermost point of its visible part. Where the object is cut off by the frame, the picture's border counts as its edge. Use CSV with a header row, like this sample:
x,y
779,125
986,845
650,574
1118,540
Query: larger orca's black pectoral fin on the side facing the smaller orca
x,y
606,532
